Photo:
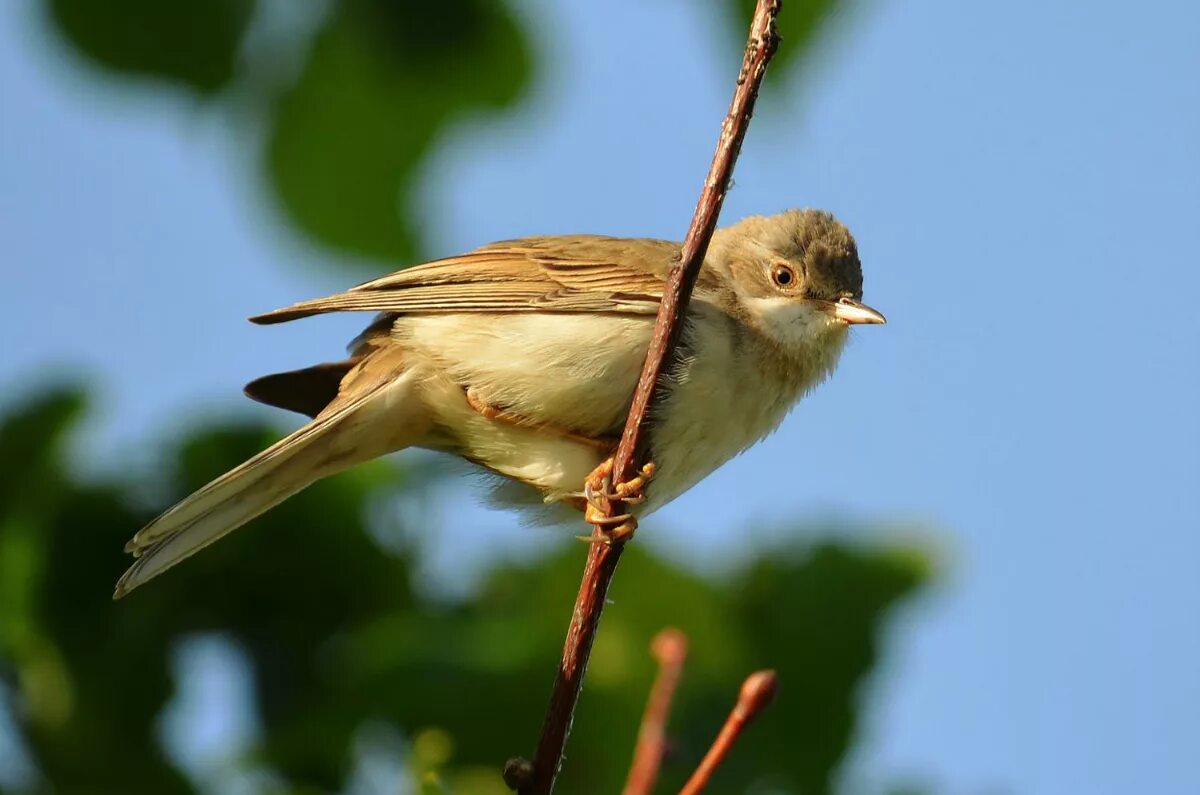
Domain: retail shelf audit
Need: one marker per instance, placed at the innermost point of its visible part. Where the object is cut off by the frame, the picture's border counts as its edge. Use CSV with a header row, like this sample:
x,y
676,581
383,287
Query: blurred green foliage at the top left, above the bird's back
x,y
349,131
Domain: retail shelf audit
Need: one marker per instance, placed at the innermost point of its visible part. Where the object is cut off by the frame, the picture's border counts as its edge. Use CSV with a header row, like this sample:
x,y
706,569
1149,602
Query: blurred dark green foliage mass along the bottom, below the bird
x,y
339,638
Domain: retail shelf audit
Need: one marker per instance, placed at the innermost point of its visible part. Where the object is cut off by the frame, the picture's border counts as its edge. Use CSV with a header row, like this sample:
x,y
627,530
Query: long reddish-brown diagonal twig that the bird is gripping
x,y
605,552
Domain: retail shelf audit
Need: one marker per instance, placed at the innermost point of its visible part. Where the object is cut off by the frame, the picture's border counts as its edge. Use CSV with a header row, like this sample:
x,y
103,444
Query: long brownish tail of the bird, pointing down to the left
x,y
376,420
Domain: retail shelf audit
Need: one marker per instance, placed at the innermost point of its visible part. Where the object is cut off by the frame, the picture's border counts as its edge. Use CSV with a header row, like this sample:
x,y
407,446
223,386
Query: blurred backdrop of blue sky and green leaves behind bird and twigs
x,y
973,555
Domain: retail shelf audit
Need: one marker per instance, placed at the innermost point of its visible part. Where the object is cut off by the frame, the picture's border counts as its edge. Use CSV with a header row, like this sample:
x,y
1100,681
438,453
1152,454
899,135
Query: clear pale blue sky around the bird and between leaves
x,y
1024,181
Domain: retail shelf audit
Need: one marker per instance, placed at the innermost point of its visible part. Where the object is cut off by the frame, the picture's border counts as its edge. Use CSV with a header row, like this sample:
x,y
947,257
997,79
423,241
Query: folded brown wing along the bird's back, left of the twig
x,y
560,274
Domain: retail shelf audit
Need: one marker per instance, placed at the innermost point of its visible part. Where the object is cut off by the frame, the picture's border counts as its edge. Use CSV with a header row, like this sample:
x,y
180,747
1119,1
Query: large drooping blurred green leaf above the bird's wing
x,y
381,83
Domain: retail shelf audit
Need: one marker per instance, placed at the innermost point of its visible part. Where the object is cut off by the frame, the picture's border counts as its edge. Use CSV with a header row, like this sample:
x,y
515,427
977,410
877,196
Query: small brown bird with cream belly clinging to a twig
x,y
523,357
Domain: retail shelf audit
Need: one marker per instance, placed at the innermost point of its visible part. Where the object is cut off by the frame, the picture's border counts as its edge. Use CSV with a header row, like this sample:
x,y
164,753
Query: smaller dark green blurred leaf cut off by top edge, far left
x,y
182,41
